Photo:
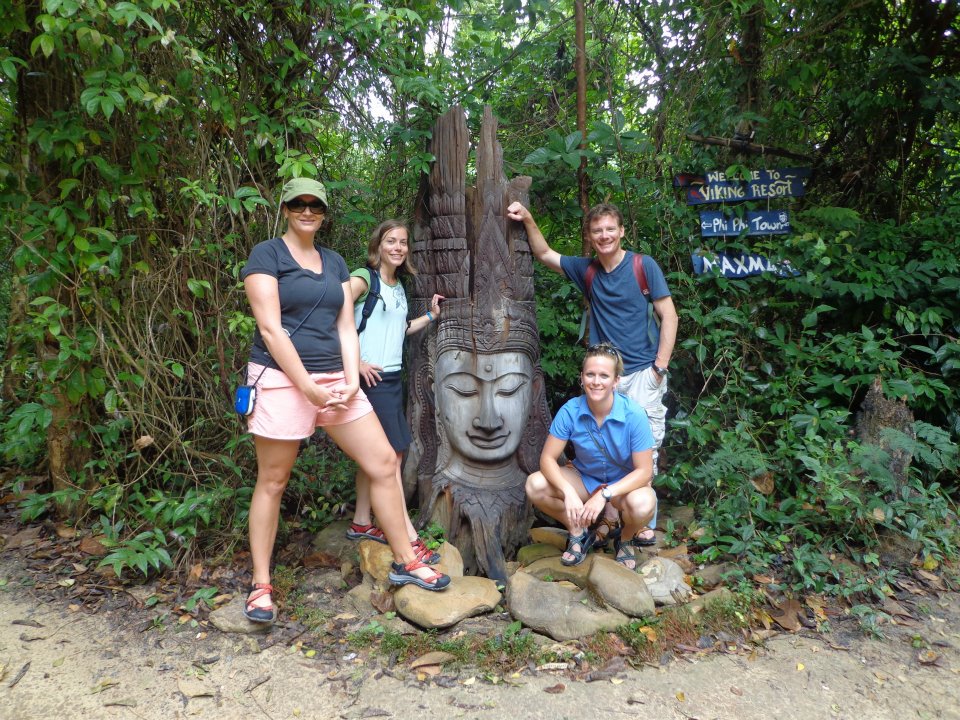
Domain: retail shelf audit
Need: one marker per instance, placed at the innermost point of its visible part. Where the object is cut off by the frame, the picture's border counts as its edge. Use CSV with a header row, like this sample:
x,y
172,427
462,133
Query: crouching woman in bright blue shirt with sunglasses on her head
x,y
613,467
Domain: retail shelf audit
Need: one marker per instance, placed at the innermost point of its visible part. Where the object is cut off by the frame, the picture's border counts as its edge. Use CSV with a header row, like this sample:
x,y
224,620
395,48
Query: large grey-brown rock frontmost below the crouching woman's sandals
x,y
549,609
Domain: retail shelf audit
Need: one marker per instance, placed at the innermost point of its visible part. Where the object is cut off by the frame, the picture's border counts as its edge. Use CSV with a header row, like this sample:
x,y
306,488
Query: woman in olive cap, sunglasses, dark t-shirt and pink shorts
x,y
306,348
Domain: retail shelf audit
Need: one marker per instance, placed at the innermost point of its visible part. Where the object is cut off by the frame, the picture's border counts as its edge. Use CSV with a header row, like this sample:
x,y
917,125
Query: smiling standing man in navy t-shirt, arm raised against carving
x,y
619,310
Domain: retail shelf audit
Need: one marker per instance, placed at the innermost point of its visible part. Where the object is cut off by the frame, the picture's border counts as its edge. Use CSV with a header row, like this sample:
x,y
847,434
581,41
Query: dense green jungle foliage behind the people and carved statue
x,y
143,142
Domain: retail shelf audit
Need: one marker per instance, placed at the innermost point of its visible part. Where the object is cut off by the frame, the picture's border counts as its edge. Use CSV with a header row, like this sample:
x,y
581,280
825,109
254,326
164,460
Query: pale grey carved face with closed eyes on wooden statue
x,y
483,402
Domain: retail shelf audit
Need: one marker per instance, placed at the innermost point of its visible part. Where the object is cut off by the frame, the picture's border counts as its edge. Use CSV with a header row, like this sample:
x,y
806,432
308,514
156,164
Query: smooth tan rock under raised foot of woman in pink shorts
x,y
465,597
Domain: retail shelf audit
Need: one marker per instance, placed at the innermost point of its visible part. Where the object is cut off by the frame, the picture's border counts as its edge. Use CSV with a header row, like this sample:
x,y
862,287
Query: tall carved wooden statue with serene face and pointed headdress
x,y
478,409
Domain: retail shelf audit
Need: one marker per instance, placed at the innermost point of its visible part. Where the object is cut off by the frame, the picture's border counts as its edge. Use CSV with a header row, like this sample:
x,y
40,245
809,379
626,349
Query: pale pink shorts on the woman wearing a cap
x,y
282,412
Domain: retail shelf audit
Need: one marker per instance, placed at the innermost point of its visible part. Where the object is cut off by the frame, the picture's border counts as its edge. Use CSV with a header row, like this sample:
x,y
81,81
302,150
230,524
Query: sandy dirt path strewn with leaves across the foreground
x,y
116,664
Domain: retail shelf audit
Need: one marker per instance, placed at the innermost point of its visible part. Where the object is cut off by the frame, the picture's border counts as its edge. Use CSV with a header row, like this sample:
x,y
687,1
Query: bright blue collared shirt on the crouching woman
x,y
625,431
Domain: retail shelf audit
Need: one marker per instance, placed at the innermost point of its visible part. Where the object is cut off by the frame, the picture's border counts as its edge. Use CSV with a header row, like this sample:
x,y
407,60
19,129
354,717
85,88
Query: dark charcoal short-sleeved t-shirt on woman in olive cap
x,y
317,340
